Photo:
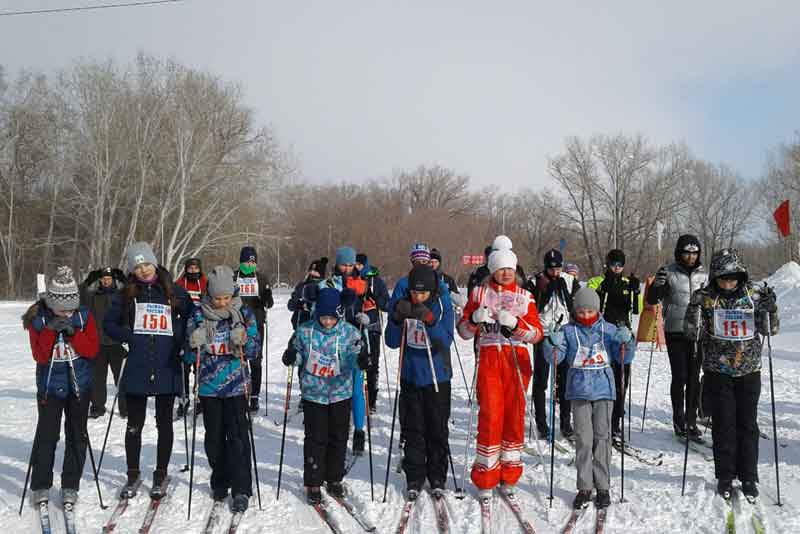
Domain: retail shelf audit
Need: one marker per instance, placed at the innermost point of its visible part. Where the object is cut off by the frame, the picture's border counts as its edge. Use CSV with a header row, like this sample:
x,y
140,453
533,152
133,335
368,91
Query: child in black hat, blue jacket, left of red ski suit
x,y
424,326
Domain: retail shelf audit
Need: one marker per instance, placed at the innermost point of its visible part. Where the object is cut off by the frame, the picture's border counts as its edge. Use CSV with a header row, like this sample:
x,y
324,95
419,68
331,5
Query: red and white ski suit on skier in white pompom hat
x,y
501,417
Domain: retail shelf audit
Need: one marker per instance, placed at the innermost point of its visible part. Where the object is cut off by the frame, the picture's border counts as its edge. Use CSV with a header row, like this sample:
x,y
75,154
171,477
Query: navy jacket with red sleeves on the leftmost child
x,y
44,342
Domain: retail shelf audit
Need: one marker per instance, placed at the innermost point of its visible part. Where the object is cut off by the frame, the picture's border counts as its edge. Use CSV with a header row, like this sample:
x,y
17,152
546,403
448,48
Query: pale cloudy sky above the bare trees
x,y
360,89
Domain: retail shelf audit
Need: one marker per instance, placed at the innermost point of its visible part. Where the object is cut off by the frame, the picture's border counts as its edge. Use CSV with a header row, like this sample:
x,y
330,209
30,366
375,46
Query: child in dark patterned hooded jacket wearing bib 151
x,y
724,318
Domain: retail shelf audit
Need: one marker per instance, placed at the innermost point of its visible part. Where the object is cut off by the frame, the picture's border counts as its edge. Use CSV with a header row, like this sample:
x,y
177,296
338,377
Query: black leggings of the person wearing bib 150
x,y
137,410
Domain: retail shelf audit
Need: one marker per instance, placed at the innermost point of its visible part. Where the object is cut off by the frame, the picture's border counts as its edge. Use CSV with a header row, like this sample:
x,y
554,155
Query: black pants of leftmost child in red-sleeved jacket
x,y
75,411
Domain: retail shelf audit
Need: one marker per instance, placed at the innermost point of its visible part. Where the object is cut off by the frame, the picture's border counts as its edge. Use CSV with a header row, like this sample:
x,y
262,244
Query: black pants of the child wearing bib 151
x,y
734,408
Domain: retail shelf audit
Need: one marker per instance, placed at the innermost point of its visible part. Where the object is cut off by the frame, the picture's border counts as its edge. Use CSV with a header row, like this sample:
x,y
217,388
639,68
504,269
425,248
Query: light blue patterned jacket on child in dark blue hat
x,y
327,360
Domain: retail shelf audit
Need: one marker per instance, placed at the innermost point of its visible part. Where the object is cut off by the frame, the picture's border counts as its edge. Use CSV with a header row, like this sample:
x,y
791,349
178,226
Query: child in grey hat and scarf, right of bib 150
x,y
222,334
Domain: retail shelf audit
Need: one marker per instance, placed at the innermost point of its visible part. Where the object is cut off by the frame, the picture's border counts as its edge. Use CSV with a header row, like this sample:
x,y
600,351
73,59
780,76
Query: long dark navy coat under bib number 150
x,y
153,367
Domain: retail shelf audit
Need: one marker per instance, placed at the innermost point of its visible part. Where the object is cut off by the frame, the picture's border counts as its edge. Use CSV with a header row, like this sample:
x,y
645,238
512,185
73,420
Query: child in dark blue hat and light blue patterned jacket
x,y
328,350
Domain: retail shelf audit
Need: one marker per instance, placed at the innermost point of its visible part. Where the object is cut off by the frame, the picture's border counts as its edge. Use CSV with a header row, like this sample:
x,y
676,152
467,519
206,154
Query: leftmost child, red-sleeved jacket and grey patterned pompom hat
x,y
63,341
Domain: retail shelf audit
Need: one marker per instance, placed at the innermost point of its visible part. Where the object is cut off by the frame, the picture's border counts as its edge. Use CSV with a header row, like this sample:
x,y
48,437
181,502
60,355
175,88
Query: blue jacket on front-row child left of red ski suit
x,y
419,337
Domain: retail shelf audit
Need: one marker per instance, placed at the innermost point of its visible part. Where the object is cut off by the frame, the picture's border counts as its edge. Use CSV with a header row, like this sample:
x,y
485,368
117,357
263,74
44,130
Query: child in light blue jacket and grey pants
x,y
589,344
